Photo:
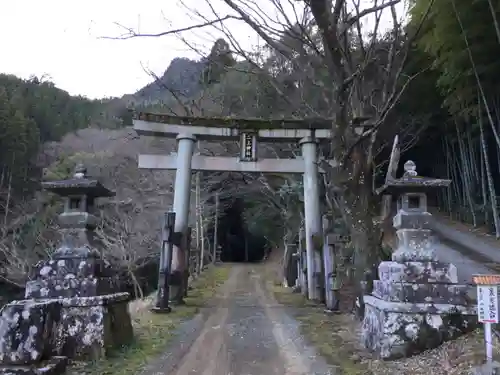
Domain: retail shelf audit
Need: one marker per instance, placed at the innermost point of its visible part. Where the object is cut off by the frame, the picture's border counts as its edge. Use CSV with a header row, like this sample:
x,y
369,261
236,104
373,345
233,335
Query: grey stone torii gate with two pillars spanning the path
x,y
187,130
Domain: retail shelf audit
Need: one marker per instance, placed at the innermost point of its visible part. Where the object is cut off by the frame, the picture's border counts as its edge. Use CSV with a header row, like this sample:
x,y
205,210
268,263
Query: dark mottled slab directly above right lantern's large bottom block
x,y
453,294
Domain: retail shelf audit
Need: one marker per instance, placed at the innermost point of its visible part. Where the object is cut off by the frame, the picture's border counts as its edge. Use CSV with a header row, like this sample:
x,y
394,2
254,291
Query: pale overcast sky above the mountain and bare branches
x,y
61,38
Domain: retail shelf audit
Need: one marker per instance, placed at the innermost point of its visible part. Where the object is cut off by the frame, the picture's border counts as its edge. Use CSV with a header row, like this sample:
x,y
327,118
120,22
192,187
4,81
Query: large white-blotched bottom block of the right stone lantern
x,y
394,329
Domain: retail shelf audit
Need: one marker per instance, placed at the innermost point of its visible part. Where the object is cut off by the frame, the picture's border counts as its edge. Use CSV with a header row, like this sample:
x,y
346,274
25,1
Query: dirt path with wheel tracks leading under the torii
x,y
248,334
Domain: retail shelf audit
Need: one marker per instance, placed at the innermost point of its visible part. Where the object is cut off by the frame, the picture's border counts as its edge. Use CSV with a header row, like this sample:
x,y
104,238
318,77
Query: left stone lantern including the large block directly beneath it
x,y
94,314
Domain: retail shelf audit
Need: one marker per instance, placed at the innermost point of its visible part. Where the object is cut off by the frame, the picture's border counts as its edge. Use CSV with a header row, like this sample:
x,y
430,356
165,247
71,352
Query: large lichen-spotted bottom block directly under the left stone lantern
x,y
92,326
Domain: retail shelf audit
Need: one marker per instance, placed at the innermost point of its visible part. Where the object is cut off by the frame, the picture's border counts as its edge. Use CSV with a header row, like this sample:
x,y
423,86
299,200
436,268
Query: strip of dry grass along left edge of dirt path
x,y
153,331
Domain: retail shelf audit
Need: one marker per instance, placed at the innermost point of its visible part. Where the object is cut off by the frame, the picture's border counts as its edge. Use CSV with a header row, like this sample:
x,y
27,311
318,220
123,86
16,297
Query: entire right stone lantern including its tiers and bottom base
x,y
417,304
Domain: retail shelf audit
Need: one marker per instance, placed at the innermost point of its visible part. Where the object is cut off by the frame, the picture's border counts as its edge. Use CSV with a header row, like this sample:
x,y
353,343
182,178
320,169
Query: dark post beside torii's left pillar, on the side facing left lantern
x,y
167,233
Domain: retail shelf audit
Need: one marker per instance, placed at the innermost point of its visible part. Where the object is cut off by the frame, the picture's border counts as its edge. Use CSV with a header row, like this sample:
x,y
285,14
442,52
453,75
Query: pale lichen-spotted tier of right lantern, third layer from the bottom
x,y
418,272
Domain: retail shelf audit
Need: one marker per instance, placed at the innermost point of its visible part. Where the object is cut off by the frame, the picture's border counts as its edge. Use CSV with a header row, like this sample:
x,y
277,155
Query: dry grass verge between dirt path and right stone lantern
x,y
336,337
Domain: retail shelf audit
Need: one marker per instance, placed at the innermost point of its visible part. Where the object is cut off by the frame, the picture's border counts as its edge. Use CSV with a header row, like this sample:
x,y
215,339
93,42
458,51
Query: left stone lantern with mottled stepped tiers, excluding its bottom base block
x,y
76,268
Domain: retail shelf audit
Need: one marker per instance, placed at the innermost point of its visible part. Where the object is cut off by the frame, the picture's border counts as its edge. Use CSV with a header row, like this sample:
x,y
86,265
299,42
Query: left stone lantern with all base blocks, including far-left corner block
x,y
73,306
